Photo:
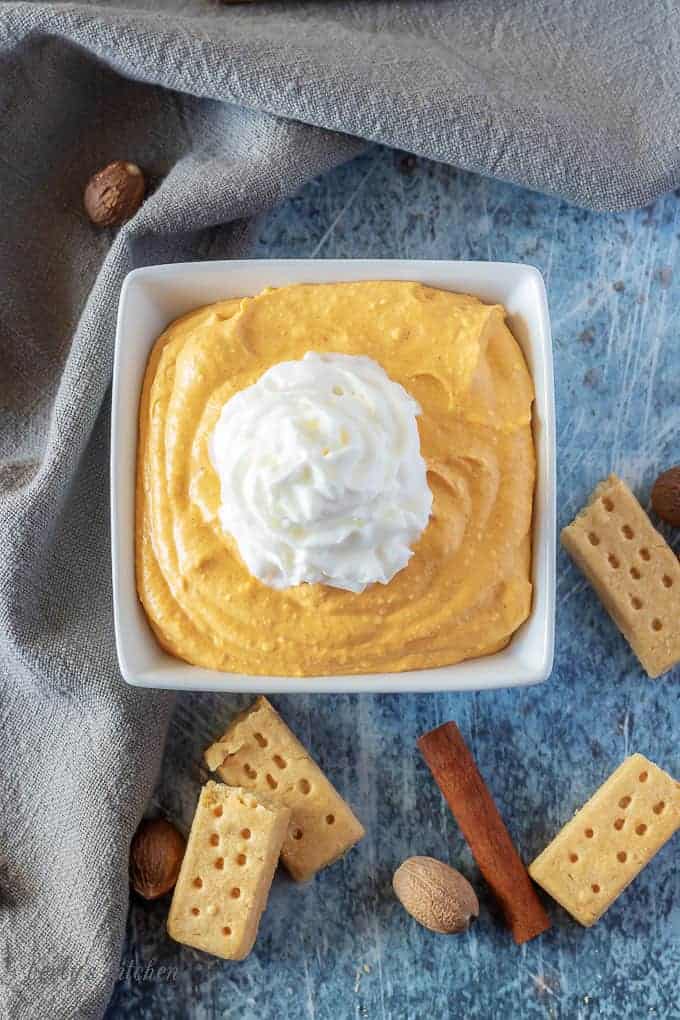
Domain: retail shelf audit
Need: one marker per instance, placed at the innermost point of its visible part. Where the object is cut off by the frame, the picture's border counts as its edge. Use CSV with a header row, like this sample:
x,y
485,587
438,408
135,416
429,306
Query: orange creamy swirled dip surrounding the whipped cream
x,y
465,590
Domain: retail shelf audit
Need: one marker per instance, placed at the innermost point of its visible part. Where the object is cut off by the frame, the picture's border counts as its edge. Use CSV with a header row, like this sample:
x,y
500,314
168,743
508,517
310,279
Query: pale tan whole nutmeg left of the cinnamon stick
x,y
439,897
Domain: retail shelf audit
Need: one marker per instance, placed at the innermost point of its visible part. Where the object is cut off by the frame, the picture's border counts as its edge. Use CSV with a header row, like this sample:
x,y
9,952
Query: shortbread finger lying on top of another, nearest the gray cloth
x,y
231,859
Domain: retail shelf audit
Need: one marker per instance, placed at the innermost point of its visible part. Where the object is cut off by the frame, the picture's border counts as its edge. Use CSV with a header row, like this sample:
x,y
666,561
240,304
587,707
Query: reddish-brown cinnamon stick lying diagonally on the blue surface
x,y
466,793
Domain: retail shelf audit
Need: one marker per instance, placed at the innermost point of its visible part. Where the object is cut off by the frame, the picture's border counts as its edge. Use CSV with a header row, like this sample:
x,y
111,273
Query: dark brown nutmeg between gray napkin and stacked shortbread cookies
x,y
155,858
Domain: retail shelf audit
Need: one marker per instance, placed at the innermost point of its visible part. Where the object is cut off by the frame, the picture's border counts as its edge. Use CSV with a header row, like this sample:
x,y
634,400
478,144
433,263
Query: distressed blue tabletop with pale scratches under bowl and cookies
x,y
342,947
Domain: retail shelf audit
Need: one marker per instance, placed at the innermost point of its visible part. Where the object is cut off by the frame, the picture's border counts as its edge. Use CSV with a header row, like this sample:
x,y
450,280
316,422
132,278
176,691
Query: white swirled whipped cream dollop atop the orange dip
x,y
322,476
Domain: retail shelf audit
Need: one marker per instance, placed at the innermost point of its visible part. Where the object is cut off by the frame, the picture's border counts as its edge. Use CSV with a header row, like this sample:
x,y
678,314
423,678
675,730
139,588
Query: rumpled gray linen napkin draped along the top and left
x,y
220,106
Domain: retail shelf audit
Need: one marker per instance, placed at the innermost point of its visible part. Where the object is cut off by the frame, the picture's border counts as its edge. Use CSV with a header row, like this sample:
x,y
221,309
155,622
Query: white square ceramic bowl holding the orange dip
x,y
151,298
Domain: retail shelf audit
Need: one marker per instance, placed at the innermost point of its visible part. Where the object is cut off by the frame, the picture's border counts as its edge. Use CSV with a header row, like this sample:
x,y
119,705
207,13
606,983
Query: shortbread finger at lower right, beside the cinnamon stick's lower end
x,y
609,842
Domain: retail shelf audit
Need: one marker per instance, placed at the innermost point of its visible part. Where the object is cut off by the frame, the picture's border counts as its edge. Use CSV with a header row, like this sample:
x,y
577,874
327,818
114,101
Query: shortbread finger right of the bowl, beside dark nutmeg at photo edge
x,y
634,571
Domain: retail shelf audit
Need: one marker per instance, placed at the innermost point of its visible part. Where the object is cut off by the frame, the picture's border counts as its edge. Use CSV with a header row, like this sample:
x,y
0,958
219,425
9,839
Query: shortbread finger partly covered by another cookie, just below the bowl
x,y
259,752
